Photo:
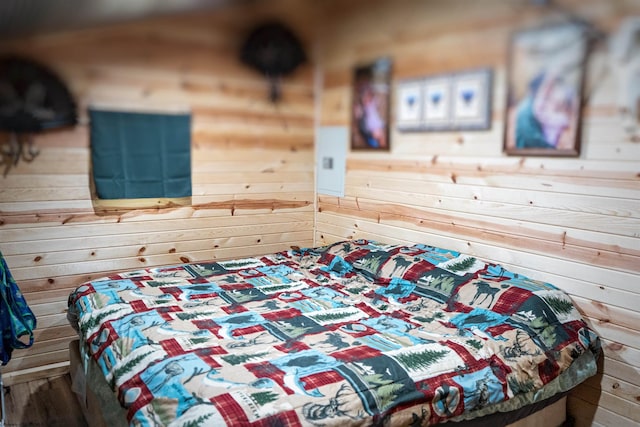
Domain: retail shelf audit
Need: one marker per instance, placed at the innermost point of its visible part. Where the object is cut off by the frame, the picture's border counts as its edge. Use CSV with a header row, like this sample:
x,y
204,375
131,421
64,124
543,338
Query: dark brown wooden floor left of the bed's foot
x,y
46,402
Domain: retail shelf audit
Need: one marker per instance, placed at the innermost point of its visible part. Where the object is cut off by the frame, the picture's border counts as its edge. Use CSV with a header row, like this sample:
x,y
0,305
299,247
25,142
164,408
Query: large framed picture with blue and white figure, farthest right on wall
x,y
544,93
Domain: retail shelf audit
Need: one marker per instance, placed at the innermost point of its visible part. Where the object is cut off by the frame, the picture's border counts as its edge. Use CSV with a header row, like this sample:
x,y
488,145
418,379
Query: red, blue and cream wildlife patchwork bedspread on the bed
x,y
353,333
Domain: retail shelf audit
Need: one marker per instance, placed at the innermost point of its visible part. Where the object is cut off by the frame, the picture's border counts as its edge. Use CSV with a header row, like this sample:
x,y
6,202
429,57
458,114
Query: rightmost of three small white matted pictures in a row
x,y
471,94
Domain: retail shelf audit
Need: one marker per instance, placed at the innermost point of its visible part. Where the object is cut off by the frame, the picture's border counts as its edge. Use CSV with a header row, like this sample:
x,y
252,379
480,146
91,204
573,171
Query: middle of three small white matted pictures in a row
x,y
437,103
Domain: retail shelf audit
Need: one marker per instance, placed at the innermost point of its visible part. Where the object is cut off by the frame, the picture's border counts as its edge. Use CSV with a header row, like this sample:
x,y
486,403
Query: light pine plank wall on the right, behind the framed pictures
x,y
574,222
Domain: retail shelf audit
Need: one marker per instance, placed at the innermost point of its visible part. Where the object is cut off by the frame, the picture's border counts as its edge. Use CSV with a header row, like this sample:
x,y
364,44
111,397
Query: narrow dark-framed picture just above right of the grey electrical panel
x,y
370,110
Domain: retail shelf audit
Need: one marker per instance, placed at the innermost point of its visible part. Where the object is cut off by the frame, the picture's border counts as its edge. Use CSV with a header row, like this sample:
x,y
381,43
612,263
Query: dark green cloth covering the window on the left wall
x,y
140,154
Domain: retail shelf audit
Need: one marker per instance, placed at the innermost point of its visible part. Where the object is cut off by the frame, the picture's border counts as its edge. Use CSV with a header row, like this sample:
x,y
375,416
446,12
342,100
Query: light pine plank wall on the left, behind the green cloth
x,y
252,163
